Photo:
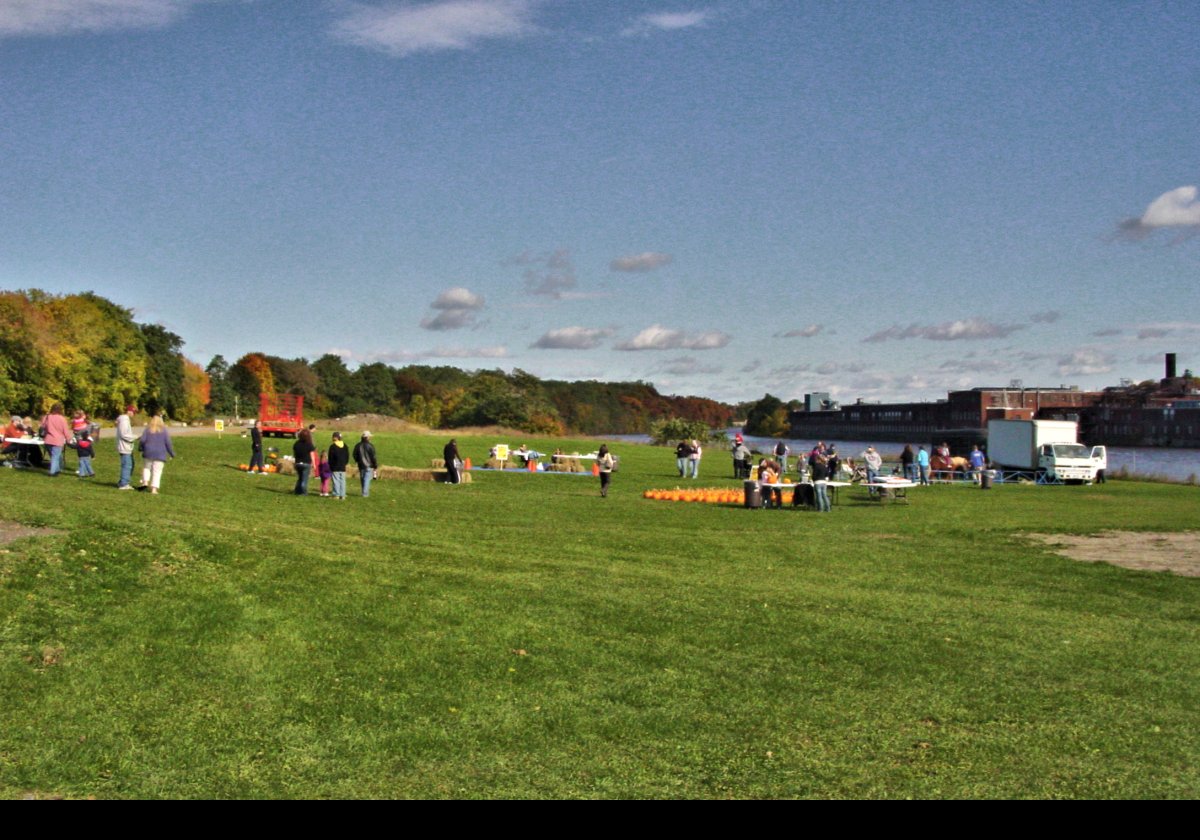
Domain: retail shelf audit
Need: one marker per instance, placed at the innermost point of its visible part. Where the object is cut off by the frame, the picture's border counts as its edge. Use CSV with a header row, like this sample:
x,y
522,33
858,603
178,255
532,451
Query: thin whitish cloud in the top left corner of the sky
x,y
65,17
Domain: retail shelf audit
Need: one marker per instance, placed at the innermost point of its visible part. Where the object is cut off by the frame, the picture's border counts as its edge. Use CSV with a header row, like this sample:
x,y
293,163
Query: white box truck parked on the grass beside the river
x,y
1051,448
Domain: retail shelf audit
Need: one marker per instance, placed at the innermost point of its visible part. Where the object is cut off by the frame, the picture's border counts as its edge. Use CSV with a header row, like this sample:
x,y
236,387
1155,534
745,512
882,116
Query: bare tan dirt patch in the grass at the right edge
x,y
1178,553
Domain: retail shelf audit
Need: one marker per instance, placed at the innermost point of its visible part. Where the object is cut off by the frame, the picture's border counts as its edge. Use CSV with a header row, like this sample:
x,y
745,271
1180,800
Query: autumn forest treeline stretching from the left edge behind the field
x,y
89,353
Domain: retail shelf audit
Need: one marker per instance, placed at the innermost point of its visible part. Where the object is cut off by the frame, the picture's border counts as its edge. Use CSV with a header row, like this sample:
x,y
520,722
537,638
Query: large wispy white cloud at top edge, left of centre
x,y
431,27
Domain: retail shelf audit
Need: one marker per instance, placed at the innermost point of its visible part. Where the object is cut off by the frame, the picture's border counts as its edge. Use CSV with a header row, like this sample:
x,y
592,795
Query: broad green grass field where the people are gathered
x,y
523,638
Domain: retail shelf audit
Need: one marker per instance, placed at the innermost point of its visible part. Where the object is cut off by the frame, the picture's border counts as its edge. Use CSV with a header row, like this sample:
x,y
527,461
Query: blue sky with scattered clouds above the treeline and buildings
x,y
879,200
